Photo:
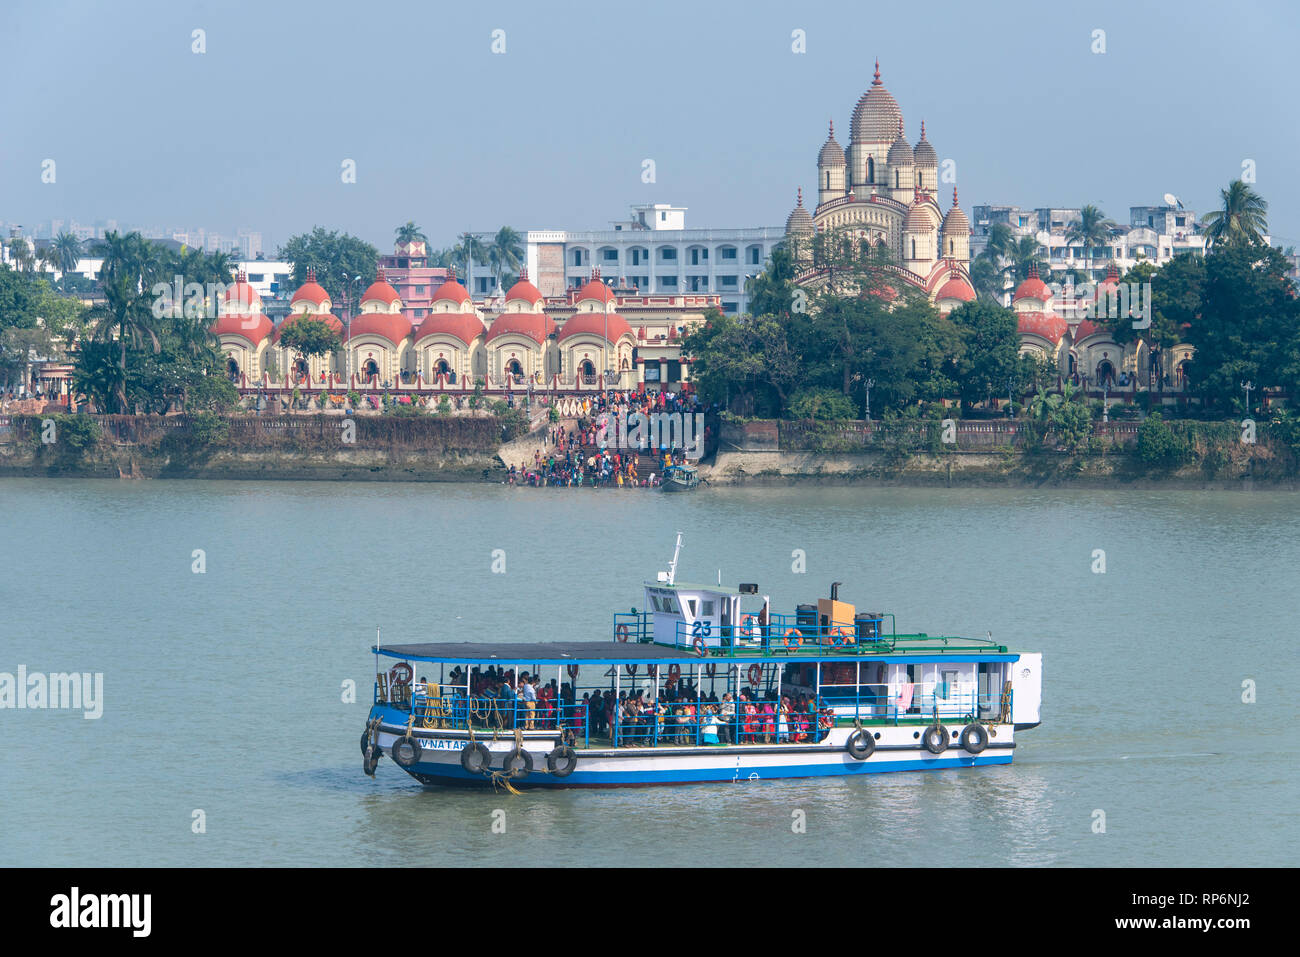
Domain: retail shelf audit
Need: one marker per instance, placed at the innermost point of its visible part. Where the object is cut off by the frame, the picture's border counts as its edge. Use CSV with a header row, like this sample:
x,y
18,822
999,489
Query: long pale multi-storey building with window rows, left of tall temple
x,y
656,254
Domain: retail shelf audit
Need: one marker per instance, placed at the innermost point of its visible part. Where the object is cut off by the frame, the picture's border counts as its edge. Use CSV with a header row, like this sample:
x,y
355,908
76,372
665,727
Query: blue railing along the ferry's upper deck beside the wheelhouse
x,y
790,635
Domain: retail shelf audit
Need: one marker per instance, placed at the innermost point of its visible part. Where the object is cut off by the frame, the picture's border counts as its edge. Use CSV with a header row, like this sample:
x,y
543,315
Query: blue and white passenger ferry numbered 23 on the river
x,y
709,686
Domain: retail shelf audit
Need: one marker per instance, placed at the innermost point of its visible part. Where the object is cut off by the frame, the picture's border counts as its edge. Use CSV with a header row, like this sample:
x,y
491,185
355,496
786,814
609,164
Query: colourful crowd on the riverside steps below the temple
x,y
586,456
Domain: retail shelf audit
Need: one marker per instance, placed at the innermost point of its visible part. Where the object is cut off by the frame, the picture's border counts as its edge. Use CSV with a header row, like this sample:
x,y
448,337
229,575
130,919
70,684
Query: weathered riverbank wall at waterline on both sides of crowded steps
x,y
471,449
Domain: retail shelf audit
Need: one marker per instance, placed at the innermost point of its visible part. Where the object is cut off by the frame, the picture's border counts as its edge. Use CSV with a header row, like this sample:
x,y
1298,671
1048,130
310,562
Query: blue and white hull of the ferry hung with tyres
x,y
612,768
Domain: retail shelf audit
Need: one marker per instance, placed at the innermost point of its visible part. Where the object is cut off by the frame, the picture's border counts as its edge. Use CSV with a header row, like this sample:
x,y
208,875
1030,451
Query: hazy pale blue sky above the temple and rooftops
x,y
553,133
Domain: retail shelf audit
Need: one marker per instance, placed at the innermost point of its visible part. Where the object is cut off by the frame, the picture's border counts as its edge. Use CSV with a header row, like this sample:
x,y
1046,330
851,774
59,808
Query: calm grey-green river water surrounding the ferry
x,y
223,690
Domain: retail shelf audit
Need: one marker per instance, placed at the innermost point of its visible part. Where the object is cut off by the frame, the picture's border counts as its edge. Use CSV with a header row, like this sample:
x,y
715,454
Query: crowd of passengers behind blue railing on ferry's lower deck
x,y
673,714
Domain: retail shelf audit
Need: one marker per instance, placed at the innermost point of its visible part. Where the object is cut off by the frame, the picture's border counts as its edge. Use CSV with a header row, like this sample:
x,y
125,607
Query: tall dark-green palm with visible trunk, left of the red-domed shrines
x,y
127,314
